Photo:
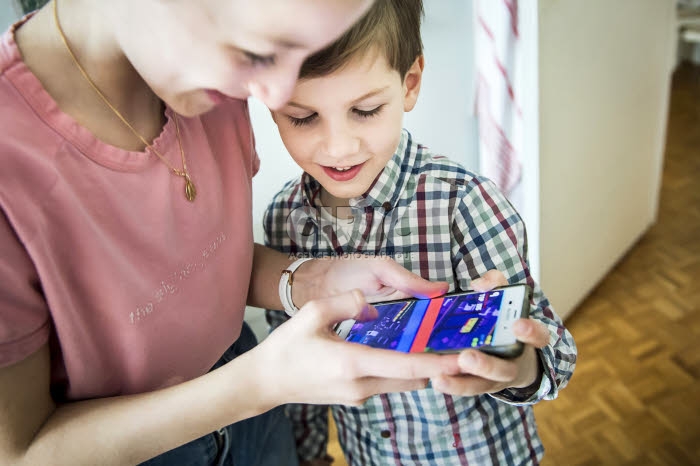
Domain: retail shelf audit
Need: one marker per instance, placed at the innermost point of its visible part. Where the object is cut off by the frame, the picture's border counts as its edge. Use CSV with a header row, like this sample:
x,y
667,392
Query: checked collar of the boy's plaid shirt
x,y
387,187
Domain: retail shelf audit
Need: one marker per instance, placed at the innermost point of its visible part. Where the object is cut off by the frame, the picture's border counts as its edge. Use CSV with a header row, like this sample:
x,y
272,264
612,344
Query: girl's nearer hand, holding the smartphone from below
x,y
304,361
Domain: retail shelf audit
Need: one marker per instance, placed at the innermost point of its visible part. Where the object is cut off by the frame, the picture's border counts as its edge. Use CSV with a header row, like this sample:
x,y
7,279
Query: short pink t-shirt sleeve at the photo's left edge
x,y
24,315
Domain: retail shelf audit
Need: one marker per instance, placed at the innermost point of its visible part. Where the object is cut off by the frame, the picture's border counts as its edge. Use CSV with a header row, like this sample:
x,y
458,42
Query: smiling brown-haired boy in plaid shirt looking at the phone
x,y
369,188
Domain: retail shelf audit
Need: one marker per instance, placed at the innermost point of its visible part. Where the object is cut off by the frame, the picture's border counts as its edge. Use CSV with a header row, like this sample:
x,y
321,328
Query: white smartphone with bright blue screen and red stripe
x,y
446,324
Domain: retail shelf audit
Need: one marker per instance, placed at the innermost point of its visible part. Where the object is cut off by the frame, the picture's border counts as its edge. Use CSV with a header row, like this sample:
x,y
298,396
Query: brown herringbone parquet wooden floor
x,y
635,395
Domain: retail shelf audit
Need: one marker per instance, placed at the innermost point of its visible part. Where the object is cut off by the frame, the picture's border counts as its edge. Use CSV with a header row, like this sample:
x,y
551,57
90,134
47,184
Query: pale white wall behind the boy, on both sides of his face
x,y
442,120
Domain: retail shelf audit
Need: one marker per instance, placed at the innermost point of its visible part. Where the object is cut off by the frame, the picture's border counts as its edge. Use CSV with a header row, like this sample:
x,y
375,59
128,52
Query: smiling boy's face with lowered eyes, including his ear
x,y
344,127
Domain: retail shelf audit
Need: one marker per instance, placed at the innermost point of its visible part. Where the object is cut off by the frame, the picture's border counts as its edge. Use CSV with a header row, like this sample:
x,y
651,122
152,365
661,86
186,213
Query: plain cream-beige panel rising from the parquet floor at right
x,y
604,83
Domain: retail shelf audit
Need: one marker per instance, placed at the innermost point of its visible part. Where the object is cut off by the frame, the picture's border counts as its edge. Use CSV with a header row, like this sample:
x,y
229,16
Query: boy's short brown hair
x,y
392,26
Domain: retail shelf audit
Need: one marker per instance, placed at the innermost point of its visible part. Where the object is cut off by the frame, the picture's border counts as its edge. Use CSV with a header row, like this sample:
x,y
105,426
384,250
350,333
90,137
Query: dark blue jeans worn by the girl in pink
x,y
264,440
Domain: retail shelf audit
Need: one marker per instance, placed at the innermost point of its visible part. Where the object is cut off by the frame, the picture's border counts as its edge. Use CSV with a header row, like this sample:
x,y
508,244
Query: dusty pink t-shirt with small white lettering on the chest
x,y
101,255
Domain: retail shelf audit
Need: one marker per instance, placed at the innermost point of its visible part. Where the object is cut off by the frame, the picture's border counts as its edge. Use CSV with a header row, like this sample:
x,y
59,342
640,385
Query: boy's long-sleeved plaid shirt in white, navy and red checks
x,y
444,223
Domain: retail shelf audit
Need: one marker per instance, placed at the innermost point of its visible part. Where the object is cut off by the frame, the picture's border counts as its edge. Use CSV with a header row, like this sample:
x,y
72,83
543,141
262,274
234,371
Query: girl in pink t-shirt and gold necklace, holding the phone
x,y
126,248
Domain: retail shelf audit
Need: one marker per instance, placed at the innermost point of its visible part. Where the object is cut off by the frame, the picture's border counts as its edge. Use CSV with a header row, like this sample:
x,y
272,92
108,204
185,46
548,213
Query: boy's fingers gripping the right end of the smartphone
x,y
484,373
